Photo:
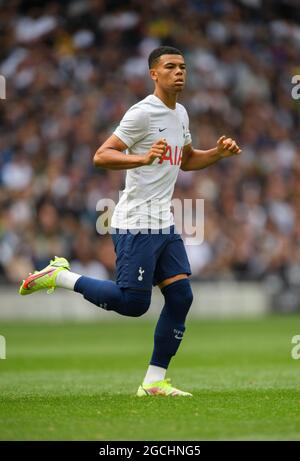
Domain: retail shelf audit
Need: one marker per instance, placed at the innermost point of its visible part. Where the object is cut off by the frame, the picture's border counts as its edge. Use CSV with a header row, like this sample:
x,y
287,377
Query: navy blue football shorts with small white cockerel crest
x,y
146,259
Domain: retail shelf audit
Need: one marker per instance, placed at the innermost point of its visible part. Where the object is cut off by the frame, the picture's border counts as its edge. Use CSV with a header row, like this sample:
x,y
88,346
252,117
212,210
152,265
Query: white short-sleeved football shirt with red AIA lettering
x,y
146,200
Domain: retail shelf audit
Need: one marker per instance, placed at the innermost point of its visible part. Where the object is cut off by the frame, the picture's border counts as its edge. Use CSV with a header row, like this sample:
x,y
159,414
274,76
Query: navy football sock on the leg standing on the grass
x,y
171,323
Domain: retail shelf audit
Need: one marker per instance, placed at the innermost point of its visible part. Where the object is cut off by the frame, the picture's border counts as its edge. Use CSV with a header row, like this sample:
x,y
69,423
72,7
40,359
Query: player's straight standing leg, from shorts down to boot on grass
x,y
170,327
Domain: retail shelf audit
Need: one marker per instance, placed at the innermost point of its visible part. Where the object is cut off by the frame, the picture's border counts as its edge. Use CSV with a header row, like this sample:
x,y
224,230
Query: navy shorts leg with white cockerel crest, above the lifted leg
x,y
135,260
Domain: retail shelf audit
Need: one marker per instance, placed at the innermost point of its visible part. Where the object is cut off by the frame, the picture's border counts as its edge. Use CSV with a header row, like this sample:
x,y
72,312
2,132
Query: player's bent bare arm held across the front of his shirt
x,y
111,155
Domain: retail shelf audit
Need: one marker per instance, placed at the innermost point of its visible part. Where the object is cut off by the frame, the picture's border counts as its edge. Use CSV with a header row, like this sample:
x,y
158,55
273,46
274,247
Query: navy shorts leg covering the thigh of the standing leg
x,y
173,261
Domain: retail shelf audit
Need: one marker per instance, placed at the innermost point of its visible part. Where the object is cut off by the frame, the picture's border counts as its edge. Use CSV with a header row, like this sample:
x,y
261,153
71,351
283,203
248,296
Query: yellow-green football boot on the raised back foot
x,y
44,279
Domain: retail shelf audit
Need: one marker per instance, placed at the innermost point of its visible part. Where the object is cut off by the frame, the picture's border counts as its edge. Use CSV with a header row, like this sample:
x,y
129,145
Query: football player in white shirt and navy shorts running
x,y
155,134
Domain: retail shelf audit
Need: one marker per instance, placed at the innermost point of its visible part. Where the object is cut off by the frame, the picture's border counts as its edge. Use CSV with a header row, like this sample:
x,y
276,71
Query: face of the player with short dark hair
x,y
169,73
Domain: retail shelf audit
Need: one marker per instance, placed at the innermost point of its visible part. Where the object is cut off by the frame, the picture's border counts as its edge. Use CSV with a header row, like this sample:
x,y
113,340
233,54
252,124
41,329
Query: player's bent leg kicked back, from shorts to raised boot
x,y
124,297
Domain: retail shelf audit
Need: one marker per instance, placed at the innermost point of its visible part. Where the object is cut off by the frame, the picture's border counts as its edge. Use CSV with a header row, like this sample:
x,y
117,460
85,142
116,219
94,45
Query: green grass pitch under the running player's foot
x,y
77,382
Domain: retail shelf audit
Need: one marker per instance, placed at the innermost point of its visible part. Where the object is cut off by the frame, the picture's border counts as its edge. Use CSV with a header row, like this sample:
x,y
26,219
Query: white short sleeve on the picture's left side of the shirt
x,y
133,126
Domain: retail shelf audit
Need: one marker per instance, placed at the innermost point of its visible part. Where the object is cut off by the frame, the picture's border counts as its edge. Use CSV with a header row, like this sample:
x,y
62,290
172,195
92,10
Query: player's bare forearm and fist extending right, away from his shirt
x,y
195,159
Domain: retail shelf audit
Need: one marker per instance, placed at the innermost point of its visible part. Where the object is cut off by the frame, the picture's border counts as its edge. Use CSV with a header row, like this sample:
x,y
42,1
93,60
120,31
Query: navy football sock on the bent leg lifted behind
x,y
109,296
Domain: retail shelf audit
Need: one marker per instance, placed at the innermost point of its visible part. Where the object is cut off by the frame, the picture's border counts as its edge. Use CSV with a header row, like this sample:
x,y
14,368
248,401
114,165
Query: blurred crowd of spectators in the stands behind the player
x,y
73,68
